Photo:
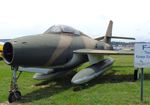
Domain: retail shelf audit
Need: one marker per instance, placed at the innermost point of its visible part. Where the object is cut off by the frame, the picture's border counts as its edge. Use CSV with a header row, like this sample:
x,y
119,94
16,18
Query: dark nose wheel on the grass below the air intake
x,y
14,96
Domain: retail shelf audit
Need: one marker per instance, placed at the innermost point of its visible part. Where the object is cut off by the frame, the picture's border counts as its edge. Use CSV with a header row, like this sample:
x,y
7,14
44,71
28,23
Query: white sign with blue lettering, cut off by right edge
x,y
142,55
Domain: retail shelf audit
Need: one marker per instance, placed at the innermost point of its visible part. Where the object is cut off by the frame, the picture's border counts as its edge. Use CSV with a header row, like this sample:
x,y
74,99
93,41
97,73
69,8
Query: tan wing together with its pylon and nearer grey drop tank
x,y
99,64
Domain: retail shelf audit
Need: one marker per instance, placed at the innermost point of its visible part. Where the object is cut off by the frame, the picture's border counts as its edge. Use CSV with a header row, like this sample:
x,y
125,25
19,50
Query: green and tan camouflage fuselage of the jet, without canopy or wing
x,y
47,50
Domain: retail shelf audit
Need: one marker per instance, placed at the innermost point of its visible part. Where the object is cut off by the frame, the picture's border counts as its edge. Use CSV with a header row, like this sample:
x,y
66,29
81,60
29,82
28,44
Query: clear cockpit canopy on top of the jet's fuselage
x,y
62,29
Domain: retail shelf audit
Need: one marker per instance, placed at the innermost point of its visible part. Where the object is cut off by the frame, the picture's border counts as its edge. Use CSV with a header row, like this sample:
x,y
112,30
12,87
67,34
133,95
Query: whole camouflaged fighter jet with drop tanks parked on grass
x,y
57,51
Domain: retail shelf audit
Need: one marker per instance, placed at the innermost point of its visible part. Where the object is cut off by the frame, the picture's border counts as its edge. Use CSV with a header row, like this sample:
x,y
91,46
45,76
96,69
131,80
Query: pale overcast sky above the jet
x,y
27,17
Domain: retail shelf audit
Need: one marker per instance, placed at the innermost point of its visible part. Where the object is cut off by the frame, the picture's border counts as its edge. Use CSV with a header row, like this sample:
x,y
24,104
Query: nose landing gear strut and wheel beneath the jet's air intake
x,y
14,93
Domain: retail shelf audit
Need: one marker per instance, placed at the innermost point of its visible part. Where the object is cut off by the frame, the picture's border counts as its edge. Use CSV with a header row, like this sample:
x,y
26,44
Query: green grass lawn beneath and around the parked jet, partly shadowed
x,y
115,87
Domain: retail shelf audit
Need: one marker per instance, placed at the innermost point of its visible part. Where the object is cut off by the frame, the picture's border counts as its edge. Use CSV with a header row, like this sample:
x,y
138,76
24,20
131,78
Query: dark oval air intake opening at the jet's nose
x,y
8,53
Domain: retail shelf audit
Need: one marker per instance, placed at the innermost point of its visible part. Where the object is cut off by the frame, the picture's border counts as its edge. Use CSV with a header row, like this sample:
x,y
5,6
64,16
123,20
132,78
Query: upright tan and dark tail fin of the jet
x,y
107,37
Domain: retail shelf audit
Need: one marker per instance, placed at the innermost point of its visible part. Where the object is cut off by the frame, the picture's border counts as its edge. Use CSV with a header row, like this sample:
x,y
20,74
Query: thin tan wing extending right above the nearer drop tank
x,y
104,52
